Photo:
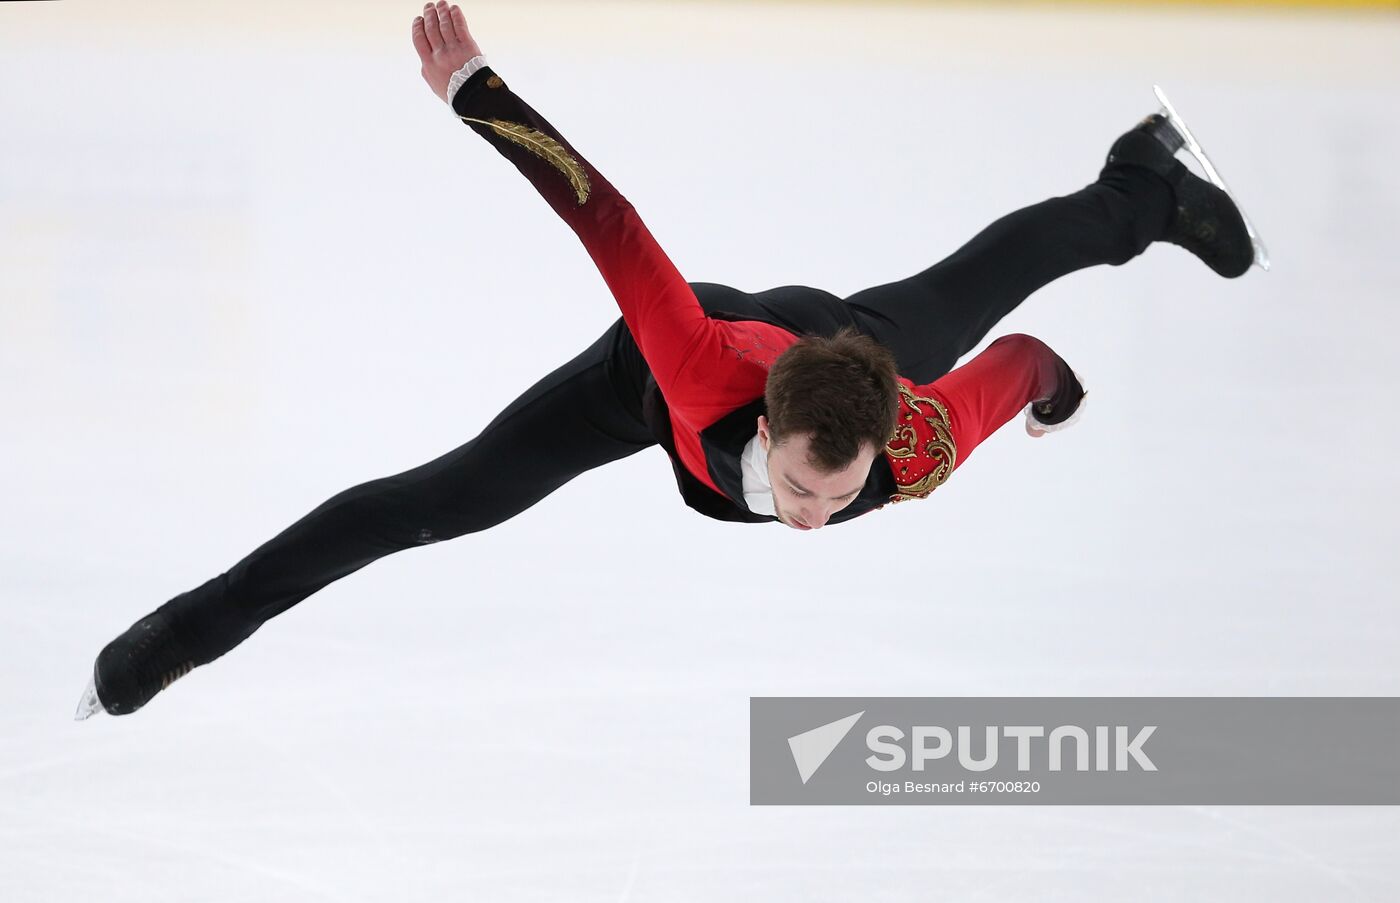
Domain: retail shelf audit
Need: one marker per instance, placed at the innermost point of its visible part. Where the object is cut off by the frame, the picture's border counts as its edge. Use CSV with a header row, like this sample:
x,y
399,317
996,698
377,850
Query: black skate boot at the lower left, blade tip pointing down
x,y
135,667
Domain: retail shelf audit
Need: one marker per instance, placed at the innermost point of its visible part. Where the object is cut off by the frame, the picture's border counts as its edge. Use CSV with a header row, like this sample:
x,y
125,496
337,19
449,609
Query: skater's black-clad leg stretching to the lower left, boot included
x,y
582,416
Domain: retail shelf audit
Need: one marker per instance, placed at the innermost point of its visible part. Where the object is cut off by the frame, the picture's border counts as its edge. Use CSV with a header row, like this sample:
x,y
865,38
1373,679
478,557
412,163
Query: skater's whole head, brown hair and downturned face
x,y
831,409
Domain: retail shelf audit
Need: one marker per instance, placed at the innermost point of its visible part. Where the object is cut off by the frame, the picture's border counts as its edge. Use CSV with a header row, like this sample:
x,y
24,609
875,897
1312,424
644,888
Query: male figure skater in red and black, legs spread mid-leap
x,y
785,407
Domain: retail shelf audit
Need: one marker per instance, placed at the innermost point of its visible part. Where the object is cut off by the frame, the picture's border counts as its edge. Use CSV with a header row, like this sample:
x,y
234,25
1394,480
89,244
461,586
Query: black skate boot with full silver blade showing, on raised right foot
x,y
1207,222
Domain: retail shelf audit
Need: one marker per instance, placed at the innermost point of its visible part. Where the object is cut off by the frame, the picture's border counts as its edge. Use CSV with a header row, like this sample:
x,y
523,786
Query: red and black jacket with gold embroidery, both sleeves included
x,y
709,367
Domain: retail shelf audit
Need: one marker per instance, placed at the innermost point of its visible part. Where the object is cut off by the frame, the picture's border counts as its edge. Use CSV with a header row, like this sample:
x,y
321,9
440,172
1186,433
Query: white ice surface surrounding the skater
x,y
247,260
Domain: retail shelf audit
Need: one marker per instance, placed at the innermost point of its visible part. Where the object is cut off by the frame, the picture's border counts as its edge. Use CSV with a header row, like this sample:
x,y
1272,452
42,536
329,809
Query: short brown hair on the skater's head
x,y
841,391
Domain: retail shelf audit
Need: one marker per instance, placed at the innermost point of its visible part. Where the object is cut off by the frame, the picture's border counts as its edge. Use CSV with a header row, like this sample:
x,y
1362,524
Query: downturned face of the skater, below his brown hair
x,y
803,496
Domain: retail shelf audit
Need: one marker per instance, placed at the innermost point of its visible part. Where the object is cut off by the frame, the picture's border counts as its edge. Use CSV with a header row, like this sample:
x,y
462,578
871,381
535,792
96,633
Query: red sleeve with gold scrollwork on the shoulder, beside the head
x,y
943,422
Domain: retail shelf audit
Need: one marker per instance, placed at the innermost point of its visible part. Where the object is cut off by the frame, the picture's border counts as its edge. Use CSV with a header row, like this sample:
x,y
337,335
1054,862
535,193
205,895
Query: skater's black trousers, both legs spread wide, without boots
x,y
589,412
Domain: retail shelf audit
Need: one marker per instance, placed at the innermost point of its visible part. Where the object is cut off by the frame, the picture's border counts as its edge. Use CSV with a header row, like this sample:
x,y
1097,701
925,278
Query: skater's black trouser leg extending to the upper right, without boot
x,y
936,317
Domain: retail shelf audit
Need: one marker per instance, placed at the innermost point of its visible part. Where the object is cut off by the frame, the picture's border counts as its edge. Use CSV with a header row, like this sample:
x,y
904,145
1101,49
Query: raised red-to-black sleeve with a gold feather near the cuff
x,y
703,367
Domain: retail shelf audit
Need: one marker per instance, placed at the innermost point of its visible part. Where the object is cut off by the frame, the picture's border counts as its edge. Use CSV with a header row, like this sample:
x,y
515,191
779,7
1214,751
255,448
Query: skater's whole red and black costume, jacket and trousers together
x,y
687,369
